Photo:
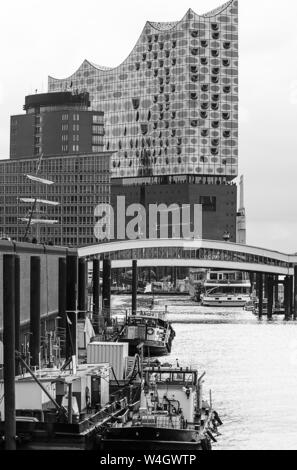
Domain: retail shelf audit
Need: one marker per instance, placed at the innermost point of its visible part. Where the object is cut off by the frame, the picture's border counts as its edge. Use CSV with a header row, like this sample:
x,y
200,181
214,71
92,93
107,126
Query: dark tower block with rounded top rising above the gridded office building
x,y
56,124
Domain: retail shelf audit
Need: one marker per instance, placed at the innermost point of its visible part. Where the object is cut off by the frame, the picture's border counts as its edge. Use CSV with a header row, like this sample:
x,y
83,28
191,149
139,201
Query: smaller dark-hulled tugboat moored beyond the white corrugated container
x,y
150,329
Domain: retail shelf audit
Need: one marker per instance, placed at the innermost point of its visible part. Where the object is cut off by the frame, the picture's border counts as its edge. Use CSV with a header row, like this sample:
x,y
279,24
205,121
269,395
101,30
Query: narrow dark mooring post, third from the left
x,y
62,304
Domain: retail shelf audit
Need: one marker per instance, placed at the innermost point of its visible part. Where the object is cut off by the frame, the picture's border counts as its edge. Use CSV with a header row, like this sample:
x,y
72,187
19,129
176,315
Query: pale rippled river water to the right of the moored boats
x,y
251,368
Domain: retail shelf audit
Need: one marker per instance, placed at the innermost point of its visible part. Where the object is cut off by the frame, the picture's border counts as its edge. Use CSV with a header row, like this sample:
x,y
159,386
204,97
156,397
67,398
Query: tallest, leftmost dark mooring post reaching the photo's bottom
x,y
9,350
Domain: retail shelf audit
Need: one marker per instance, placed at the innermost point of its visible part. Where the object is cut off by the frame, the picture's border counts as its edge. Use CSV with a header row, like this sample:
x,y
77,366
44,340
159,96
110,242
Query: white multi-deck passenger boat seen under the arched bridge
x,y
226,289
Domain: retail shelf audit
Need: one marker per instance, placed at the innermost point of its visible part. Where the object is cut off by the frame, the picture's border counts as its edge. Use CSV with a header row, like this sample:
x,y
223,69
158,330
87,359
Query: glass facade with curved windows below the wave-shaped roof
x,y
171,108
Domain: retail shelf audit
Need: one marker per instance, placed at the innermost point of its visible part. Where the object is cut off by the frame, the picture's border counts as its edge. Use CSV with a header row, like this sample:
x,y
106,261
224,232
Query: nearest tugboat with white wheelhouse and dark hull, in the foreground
x,y
171,415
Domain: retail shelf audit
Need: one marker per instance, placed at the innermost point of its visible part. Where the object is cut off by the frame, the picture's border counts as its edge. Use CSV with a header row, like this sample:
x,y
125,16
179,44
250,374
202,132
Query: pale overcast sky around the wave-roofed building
x,y
41,38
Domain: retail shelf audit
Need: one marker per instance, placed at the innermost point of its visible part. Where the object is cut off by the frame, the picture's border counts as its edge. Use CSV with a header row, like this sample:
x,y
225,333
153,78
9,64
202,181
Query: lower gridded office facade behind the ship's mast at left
x,y
81,182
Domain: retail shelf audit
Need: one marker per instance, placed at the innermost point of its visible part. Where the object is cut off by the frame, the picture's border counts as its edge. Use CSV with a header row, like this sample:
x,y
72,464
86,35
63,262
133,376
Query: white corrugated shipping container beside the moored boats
x,y
115,354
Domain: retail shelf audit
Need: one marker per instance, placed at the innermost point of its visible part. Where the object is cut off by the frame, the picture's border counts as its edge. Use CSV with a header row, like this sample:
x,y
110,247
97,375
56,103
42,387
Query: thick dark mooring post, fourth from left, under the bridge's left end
x,y
71,305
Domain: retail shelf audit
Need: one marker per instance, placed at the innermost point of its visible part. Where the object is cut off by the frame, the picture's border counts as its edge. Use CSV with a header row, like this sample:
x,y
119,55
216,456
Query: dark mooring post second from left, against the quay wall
x,y
35,324
